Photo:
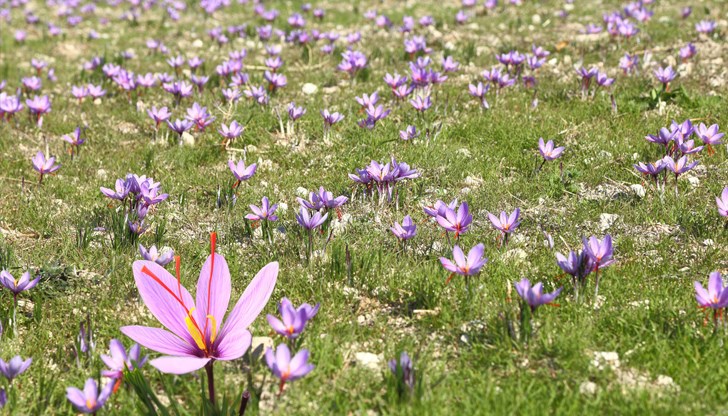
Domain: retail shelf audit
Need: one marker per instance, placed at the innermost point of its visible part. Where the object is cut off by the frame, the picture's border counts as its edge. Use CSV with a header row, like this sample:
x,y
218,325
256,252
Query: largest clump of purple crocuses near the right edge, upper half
x,y
677,148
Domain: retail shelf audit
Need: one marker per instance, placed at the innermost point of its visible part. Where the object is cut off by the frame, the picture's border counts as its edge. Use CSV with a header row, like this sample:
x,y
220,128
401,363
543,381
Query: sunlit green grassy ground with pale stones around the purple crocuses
x,y
642,347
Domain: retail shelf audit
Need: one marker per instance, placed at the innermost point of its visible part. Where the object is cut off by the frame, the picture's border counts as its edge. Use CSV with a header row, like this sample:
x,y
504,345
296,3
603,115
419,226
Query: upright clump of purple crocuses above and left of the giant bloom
x,y
137,195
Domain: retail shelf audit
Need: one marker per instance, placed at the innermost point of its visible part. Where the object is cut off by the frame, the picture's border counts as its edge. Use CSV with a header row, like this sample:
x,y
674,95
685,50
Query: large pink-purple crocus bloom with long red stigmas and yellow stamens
x,y
197,332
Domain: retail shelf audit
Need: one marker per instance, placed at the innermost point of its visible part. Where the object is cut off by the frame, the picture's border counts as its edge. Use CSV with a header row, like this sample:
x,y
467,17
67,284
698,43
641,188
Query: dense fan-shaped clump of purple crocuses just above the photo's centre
x,y
384,177
